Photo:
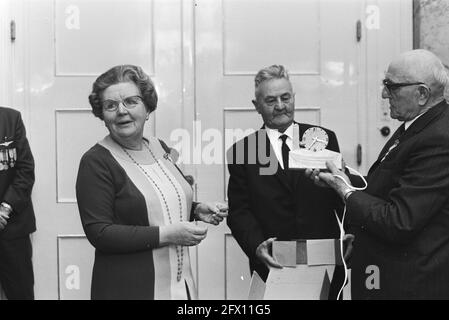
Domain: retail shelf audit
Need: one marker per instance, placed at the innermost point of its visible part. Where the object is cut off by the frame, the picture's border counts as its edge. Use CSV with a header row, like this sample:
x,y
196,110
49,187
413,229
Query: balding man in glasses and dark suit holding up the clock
x,y
401,246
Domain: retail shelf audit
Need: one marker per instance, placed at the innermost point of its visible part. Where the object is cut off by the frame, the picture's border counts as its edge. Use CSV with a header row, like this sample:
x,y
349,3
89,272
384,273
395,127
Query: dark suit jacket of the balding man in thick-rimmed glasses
x,y
402,219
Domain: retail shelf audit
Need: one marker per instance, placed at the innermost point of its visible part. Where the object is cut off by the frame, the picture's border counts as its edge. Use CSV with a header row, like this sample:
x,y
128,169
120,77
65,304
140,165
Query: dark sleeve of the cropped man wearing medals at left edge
x,y
18,193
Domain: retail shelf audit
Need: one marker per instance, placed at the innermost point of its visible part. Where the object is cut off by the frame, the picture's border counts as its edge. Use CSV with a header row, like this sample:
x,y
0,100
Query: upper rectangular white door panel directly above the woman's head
x,y
90,36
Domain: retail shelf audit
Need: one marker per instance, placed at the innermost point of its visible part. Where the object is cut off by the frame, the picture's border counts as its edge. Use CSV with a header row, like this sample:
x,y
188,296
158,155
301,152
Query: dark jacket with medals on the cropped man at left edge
x,y
16,177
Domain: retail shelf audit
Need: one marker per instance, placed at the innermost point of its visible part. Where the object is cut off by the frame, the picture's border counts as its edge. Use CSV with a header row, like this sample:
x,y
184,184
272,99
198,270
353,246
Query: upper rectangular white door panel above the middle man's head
x,y
294,41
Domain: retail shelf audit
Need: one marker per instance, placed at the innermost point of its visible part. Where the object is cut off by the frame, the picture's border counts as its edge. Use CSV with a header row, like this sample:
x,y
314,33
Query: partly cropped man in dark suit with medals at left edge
x,y
17,219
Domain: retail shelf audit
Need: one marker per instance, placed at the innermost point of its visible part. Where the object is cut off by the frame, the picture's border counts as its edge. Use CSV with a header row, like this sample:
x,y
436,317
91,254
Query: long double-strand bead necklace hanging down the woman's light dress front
x,y
179,249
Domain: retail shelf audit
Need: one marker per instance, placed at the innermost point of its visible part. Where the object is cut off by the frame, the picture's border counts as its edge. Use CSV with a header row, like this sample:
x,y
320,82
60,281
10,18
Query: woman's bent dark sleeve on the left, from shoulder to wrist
x,y
95,191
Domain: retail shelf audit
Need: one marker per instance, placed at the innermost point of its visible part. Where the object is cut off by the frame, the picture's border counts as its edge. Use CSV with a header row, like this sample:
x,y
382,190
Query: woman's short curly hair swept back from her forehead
x,y
118,74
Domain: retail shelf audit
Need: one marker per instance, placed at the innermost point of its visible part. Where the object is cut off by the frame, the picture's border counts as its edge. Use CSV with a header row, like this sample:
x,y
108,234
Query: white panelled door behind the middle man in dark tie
x,y
316,42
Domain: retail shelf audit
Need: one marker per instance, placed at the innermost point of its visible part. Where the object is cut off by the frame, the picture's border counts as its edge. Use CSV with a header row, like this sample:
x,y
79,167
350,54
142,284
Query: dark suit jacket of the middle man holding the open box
x,y
286,206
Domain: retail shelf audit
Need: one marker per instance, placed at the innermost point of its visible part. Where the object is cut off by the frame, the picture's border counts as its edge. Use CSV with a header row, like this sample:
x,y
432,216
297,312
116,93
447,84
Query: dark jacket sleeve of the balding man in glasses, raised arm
x,y
421,193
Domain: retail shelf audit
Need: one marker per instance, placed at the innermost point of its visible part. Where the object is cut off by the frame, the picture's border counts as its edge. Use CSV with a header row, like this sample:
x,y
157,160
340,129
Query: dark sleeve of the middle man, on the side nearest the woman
x,y
241,220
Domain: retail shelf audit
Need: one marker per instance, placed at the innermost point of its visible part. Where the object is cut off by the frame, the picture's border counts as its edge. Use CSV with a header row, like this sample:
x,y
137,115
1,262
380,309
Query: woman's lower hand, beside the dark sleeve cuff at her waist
x,y
181,234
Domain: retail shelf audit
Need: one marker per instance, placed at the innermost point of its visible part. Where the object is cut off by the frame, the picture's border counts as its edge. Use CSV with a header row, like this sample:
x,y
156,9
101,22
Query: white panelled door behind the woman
x,y
68,44
